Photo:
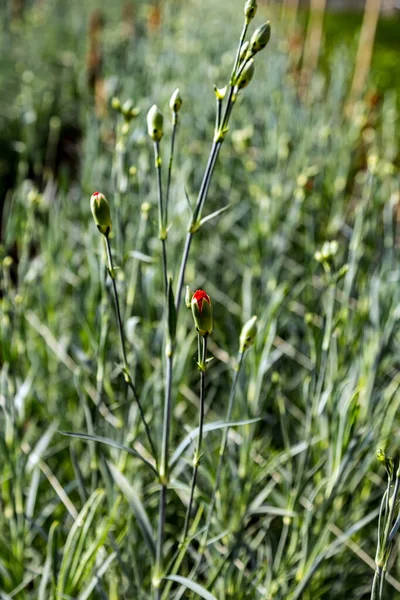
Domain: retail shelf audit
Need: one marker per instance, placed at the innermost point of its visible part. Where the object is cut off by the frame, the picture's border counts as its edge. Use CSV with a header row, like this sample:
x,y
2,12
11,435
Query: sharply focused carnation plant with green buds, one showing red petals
x,y
166,567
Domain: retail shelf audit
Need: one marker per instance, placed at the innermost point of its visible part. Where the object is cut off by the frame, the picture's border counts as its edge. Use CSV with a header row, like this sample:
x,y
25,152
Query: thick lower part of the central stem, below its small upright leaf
x,y
164,475
